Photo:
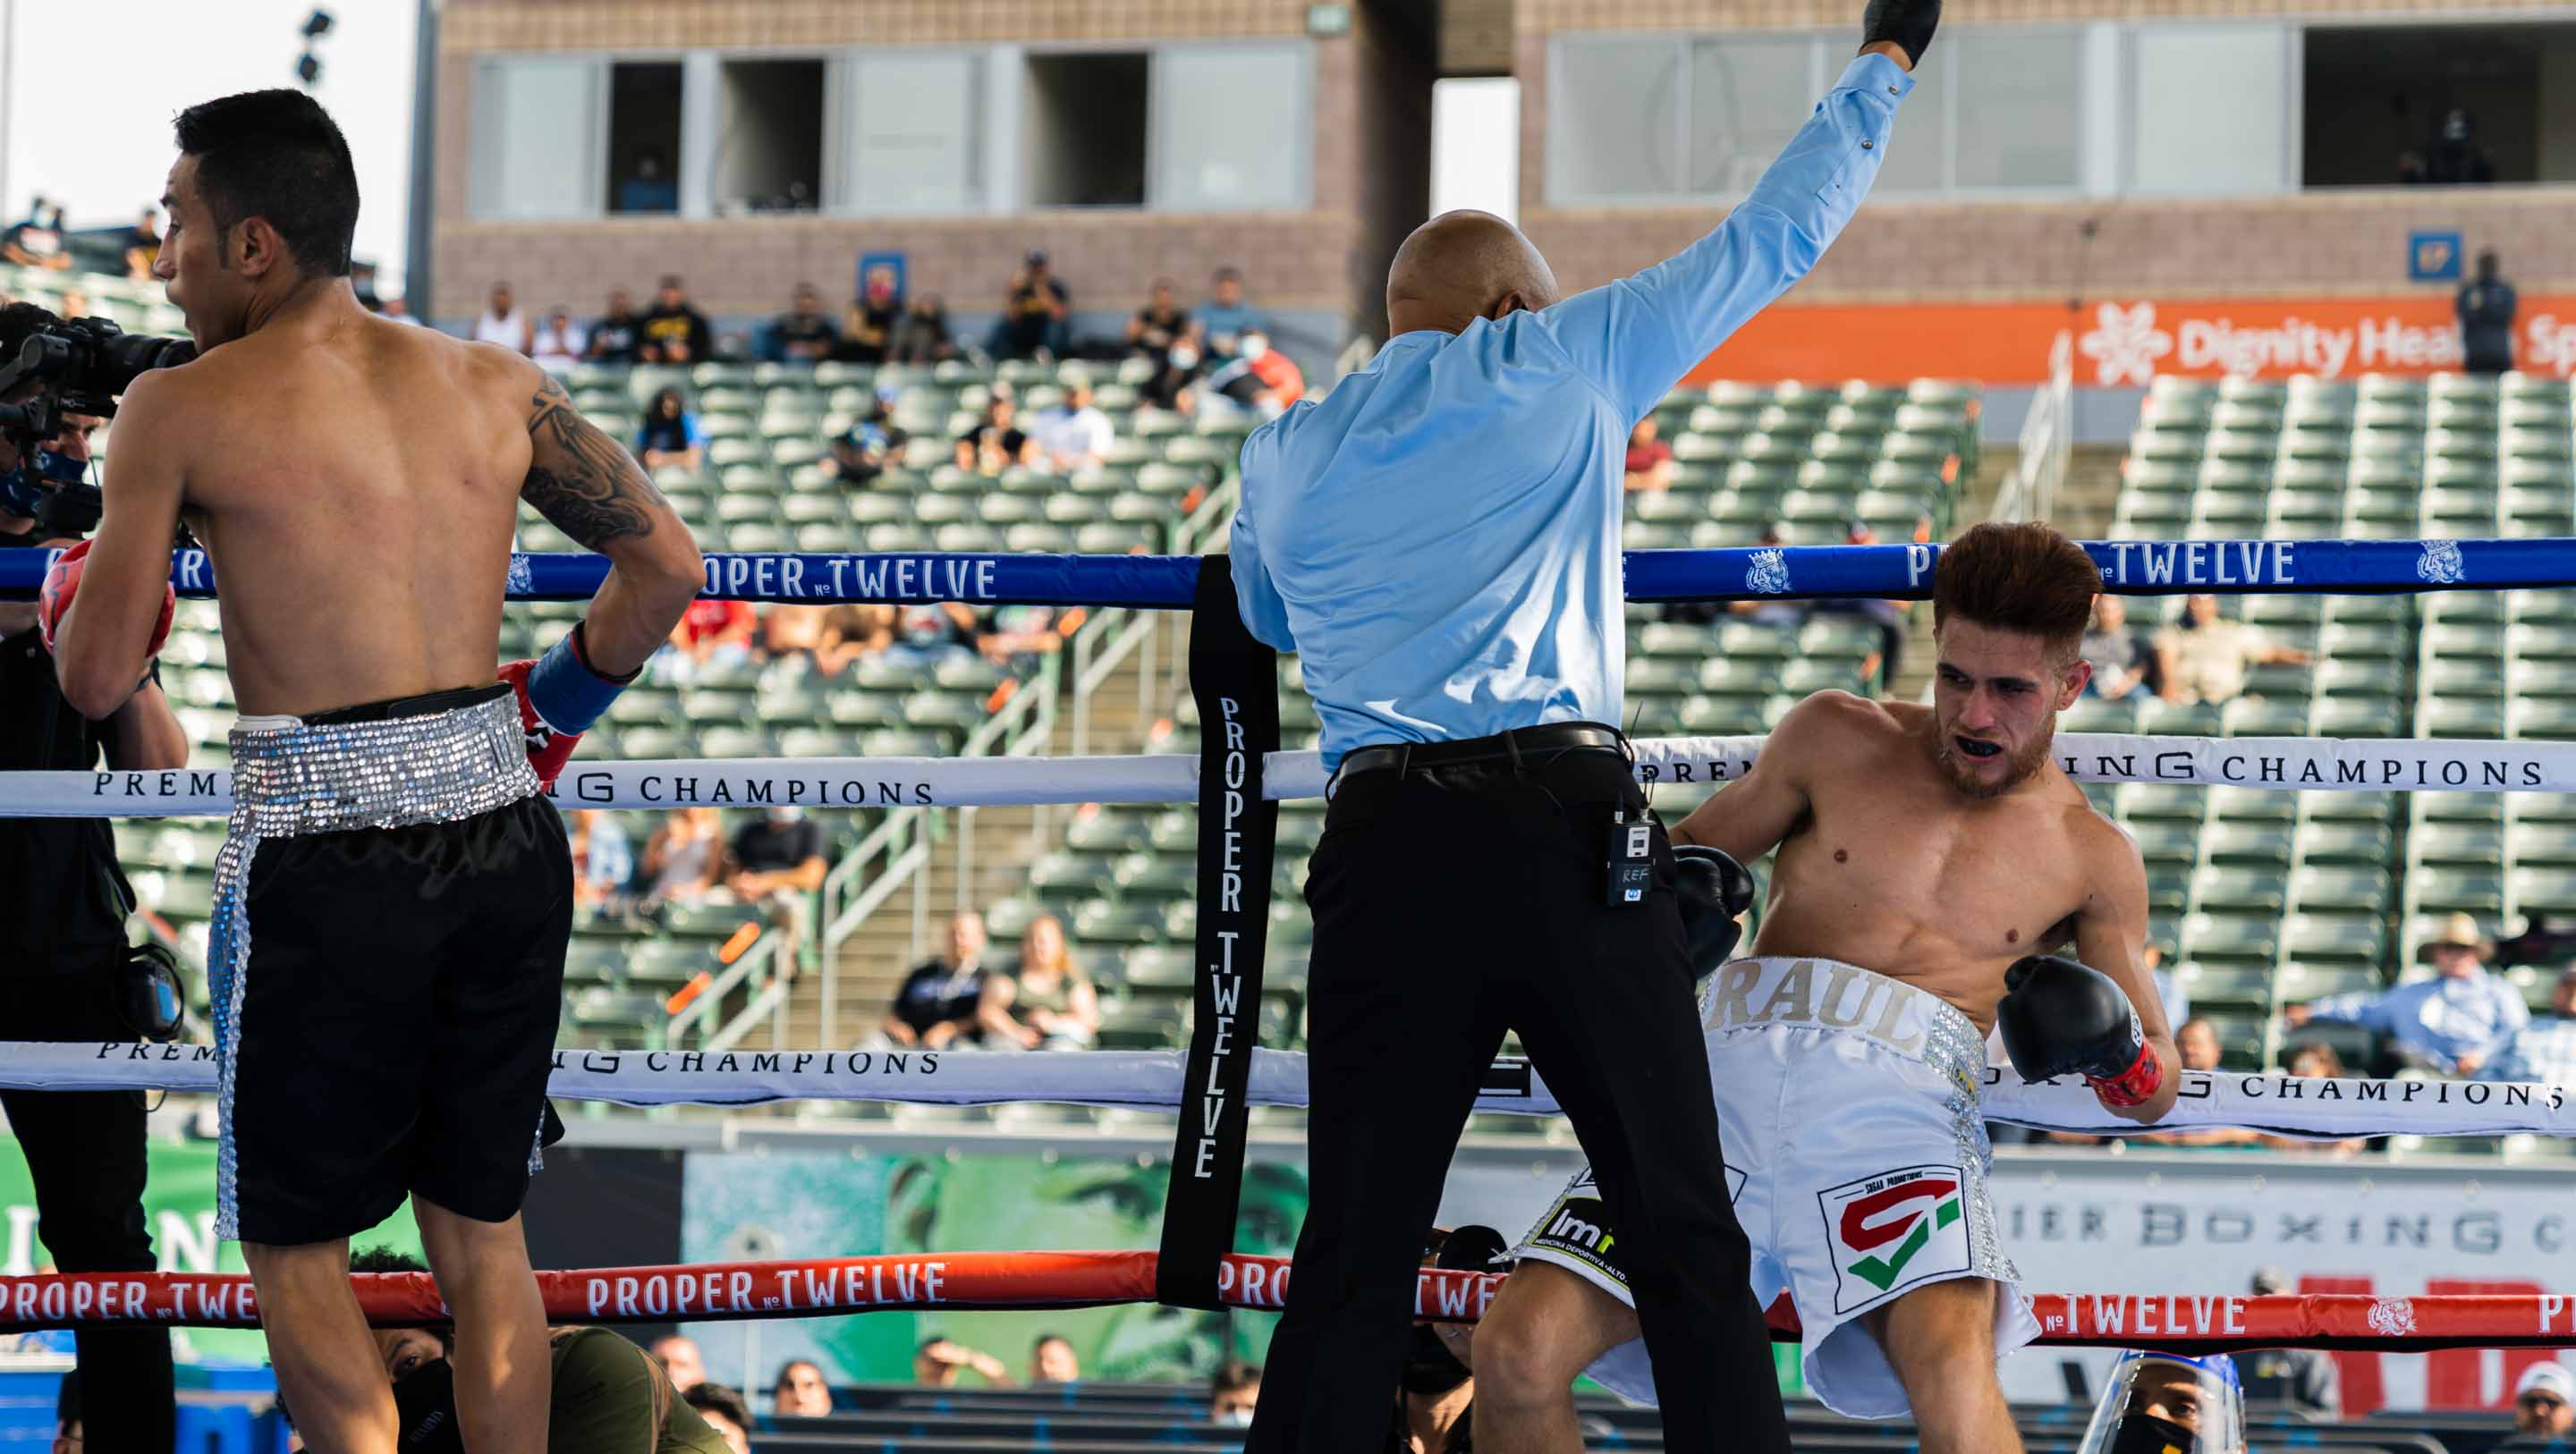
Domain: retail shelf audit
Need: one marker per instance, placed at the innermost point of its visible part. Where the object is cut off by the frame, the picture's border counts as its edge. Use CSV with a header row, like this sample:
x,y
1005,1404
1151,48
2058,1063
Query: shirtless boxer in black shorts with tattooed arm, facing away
x,y
395,897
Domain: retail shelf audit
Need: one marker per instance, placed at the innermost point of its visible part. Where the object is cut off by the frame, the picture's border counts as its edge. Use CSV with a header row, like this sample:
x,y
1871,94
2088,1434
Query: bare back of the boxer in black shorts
x,y
357,493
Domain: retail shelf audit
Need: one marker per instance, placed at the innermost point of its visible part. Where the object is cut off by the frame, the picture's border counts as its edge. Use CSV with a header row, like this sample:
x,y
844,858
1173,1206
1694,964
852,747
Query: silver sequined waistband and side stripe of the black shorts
x,y
298,778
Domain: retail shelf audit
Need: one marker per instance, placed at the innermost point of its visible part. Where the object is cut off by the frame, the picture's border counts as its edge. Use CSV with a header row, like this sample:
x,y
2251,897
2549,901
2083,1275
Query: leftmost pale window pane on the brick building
x,y
535,138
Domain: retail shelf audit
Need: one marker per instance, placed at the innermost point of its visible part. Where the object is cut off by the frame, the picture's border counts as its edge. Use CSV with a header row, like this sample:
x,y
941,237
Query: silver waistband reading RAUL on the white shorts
x,y
1828,995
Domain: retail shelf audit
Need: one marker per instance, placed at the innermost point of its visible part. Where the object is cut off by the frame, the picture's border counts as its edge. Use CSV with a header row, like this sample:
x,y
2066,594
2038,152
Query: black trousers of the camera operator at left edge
x,y
86,1157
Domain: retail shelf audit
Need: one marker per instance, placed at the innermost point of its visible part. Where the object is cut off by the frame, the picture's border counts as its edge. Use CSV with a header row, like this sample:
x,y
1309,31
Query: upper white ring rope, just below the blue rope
x,y
2276,763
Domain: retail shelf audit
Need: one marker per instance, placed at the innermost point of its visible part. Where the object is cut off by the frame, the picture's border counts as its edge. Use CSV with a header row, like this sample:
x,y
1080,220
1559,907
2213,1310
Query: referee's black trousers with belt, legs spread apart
x,y
1449,907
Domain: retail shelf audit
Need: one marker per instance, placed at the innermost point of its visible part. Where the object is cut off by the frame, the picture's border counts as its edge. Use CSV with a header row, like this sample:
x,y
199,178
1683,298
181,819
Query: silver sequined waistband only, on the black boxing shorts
x,y
300,778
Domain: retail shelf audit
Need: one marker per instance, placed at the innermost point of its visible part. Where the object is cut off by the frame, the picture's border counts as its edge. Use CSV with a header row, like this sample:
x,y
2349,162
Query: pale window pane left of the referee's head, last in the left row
x,y
1230,127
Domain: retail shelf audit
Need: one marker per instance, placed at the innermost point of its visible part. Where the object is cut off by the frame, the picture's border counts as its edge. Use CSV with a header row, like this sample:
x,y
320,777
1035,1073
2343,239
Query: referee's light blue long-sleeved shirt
x,y
1441,534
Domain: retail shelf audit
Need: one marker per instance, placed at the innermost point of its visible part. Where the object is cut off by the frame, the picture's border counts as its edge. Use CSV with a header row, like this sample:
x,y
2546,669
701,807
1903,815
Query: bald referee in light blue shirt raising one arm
x,y
1441,544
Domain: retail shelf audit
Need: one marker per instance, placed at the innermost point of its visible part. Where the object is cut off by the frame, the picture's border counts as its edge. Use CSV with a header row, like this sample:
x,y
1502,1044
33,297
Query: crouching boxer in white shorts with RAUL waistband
x,y
1923,863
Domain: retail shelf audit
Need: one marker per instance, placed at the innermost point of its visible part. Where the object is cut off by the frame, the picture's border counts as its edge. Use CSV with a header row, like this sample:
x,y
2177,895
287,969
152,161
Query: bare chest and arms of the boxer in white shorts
x,y
1887,866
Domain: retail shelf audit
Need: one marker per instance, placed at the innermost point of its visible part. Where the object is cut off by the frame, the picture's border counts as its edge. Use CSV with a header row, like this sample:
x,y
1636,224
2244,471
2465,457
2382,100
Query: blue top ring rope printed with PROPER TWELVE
x,y
1789,573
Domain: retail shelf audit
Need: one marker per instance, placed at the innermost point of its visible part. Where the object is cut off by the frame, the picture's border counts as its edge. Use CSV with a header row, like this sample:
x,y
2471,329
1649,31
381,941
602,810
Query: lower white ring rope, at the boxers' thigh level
x,y
1153,1080
